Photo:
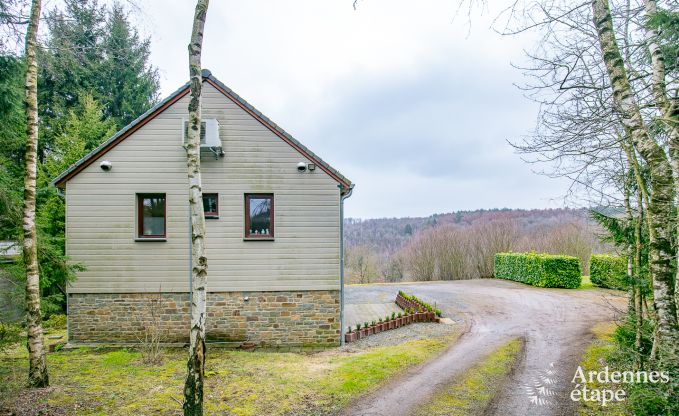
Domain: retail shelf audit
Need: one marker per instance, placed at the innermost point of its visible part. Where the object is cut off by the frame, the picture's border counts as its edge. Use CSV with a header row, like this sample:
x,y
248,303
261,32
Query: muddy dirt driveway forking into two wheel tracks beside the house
x,y
555,324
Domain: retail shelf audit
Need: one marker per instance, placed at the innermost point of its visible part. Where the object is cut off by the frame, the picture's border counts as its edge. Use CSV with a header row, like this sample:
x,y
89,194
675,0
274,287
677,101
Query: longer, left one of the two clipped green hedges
x,y
542,270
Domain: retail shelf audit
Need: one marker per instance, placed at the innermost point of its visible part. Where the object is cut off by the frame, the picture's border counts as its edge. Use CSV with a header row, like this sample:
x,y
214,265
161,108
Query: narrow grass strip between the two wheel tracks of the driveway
x,y
473,391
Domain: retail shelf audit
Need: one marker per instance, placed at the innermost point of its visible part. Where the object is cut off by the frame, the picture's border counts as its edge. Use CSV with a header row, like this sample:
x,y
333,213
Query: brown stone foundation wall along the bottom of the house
x,y
269,319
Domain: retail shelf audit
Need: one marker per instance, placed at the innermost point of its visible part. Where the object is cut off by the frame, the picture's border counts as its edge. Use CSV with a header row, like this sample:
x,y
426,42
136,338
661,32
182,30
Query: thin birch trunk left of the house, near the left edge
x,y
37,372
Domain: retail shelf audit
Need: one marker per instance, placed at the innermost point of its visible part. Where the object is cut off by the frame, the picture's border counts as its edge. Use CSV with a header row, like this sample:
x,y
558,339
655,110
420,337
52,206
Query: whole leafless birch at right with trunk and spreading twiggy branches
x,y
596,88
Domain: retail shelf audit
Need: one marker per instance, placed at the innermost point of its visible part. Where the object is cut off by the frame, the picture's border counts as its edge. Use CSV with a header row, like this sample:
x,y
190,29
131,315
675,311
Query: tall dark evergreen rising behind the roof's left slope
x,y
93,50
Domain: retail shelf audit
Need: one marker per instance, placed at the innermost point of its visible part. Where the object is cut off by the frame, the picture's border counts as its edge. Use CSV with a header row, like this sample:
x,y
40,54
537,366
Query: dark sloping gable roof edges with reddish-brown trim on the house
x,y
60,181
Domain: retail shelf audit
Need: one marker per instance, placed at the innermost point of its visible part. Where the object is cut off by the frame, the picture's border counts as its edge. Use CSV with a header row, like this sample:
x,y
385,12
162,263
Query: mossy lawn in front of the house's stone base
x,y
89,381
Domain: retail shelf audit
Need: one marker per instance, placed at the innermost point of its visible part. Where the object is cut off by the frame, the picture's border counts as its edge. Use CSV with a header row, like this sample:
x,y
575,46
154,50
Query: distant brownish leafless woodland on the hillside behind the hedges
x,y
461,245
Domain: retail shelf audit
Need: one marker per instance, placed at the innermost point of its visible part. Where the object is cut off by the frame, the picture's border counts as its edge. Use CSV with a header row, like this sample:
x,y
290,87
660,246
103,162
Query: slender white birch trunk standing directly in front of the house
x,y
193,388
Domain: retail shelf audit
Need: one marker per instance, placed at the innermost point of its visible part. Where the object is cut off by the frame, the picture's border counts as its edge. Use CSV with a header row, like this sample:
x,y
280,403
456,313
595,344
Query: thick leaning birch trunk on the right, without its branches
x,y
661,203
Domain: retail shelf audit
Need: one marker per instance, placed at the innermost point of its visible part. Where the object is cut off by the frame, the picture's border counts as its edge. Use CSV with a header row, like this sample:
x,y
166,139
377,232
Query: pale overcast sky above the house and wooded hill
x,y
405,99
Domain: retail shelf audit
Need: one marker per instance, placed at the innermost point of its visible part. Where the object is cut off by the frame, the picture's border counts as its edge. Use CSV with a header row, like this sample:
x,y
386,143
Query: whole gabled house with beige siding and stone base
x,y
274,227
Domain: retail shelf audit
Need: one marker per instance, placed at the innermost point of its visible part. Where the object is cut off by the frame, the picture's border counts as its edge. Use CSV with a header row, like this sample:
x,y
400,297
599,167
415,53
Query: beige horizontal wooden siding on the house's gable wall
x,y
101,211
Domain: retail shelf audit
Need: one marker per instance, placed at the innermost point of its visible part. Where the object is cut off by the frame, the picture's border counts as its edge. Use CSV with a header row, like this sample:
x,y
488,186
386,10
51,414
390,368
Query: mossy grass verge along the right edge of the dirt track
x,y
597,357
